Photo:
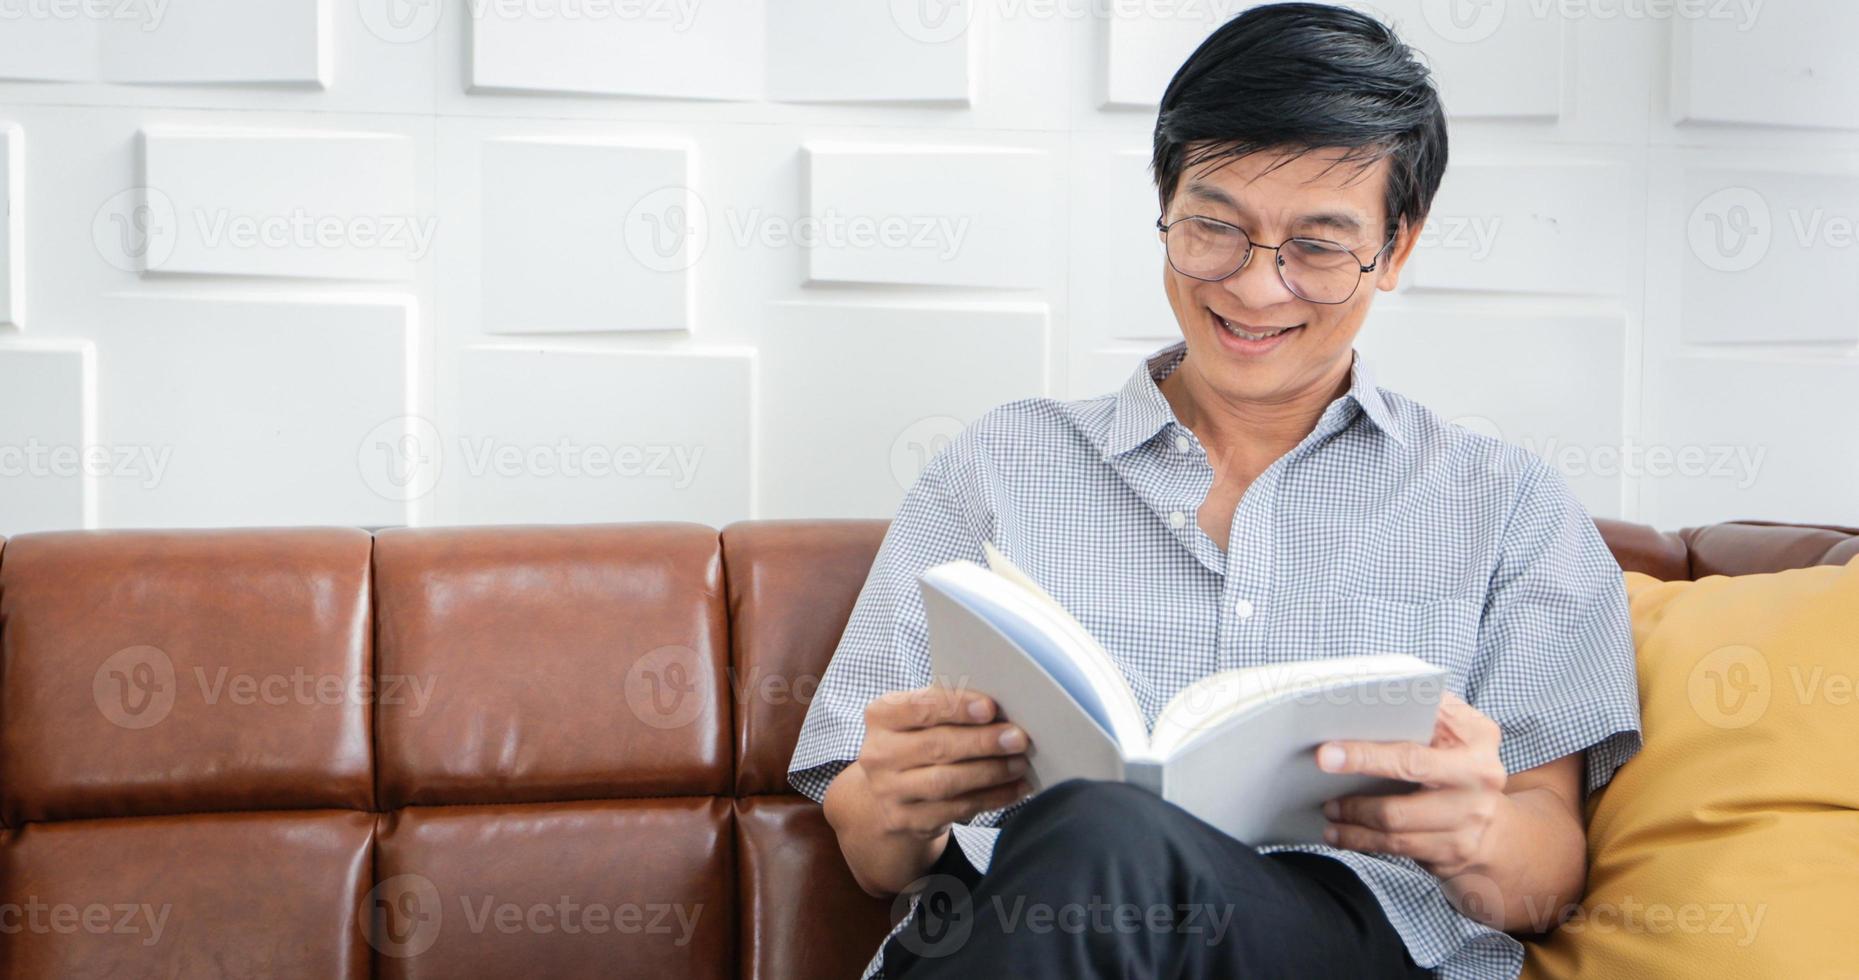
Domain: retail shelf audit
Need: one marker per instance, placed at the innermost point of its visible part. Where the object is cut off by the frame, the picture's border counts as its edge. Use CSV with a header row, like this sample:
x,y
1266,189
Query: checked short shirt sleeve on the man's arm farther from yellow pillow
x,y
886,644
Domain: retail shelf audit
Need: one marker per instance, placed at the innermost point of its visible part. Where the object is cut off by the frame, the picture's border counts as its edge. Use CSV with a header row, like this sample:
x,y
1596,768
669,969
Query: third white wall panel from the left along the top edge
x,y
709,49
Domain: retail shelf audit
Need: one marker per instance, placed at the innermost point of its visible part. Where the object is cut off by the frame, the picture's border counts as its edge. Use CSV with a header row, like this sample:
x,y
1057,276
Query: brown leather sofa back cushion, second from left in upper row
x,y
562,663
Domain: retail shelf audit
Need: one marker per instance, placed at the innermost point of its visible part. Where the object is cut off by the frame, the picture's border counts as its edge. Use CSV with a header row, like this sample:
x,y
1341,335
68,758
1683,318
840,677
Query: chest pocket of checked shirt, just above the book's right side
x,y
1440,631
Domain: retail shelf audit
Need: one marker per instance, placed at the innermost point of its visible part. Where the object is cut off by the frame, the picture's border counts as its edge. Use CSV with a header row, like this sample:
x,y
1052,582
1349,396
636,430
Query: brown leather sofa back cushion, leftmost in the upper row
x,y
172,672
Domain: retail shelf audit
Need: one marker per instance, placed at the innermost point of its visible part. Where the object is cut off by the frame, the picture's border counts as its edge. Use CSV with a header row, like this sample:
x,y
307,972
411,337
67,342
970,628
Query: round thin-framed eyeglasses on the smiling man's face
x,y
1312,269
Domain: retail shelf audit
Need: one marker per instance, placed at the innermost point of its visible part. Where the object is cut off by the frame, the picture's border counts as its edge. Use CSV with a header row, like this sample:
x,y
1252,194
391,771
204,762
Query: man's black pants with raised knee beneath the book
x,y
1109,881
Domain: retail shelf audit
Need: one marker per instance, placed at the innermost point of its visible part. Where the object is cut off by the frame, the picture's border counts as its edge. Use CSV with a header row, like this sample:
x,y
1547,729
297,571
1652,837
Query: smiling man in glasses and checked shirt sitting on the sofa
x,y
1248,497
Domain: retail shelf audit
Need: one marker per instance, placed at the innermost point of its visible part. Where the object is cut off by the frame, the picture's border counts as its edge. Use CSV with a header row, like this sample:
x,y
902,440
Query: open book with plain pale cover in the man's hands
x,y
1237,748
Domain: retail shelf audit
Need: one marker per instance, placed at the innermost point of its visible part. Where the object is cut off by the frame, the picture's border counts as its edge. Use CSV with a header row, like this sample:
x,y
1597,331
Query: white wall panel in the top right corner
x,y
1791,68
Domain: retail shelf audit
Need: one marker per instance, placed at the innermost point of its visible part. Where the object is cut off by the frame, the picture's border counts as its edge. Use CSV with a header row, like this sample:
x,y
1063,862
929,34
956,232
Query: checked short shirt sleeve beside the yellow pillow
x,y
1555,644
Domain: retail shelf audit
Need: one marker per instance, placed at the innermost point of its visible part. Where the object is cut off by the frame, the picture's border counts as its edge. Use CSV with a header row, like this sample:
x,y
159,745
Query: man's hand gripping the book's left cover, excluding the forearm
x,y
936,756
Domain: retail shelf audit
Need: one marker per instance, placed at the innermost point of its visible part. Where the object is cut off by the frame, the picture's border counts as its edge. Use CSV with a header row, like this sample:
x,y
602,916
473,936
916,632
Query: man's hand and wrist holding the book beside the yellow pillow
x,y
1509,849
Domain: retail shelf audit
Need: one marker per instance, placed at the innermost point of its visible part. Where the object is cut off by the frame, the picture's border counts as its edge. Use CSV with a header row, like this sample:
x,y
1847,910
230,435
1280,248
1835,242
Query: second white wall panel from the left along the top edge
x,y
218,42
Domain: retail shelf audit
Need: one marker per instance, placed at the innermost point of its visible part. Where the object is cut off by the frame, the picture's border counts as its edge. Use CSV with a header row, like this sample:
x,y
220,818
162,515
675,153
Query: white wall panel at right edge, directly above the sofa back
x,y
1747,438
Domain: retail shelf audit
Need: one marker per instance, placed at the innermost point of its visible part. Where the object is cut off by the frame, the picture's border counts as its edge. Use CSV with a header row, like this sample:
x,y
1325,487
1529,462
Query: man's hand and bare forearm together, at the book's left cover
x,y
932,758
